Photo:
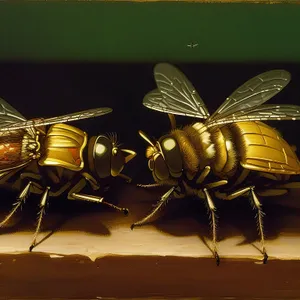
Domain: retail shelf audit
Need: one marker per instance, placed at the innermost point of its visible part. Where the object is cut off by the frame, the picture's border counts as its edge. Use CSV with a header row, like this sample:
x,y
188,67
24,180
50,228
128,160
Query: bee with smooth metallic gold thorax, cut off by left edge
x,y
52,160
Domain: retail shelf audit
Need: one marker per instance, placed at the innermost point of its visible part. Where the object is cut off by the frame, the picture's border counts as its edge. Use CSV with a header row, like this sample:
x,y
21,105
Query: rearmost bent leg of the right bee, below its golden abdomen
x,y
259,215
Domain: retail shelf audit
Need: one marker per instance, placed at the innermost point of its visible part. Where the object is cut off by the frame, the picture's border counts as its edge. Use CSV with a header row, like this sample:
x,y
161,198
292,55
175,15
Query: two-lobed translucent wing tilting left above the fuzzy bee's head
x,y
175,94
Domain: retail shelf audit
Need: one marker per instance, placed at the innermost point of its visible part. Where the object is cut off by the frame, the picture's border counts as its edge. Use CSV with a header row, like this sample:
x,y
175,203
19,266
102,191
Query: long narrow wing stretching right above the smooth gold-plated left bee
x,y
90,113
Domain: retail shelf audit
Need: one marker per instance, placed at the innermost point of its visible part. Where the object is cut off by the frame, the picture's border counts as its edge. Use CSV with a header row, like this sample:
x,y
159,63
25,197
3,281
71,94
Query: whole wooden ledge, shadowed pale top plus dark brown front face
x,y
93,253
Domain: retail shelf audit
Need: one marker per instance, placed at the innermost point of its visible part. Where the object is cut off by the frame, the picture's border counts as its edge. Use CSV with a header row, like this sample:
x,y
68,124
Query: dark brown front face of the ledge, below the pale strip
x,y
140,276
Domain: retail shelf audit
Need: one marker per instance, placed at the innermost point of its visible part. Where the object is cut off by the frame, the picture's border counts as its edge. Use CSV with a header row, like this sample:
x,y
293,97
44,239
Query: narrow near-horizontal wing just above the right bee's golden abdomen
x,y
262,113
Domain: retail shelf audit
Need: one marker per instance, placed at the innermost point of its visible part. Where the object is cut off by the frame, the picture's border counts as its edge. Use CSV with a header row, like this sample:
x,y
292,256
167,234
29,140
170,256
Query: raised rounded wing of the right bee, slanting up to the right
x,y
253,93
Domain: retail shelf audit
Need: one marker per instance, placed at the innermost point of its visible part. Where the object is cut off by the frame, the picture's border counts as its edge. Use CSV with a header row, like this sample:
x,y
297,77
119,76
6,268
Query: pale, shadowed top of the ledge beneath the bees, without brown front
x,y
182,229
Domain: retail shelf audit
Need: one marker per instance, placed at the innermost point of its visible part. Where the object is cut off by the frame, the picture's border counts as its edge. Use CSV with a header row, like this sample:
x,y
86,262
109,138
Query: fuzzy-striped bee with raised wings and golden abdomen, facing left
x,y
231,153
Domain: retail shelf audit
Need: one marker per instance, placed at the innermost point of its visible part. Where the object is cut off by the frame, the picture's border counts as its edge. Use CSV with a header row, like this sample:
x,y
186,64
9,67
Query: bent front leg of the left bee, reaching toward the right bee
x,y
75,194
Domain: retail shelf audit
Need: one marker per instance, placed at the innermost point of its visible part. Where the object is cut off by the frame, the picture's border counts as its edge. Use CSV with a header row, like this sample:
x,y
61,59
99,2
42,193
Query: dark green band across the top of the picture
x,y
126,31
